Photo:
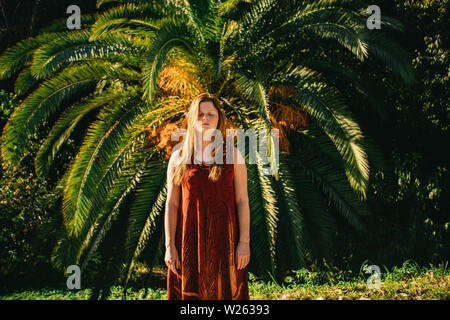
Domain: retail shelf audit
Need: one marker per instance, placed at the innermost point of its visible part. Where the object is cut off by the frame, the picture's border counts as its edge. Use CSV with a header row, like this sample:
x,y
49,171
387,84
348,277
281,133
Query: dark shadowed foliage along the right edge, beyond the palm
x,y
410,201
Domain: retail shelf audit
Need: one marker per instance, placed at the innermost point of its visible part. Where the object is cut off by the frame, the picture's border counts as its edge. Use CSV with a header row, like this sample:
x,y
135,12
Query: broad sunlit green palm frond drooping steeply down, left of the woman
x,y
105,140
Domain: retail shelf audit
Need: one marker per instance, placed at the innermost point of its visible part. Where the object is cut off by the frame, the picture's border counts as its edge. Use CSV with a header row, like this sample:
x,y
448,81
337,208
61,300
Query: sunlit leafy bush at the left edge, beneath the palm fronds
x,y
29,215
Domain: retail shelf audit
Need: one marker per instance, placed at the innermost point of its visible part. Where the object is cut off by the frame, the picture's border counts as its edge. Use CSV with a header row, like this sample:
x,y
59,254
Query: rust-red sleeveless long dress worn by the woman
x,y
206,238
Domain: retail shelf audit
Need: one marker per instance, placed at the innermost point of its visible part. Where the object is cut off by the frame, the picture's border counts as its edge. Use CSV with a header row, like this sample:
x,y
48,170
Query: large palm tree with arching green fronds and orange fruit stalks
x,y
134,69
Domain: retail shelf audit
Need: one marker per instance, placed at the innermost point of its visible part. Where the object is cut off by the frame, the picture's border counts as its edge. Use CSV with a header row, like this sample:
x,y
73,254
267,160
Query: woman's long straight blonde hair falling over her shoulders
x,y
189,143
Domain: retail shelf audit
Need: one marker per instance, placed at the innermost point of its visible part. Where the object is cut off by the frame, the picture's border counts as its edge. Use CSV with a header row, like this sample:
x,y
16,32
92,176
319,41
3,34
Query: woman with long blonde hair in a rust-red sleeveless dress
x,y
207,218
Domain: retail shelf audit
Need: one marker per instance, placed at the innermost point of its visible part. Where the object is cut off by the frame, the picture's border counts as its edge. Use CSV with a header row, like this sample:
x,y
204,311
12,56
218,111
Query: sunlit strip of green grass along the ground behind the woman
x,y
408,282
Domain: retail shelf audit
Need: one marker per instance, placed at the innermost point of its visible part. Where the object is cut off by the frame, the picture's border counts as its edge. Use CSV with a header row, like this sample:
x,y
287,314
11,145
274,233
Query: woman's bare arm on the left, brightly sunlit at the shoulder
x,y
171,213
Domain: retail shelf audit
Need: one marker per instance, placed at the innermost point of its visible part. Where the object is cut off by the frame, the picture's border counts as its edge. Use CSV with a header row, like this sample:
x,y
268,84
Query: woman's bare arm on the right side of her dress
x,y
243,209
